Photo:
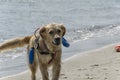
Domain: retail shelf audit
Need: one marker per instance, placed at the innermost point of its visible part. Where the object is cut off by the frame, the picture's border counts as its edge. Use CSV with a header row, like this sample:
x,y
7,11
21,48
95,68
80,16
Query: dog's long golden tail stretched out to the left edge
x,y
14,43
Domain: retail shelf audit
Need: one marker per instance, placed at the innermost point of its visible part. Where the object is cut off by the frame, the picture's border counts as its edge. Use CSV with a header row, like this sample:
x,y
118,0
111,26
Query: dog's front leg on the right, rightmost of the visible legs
x,y
56,70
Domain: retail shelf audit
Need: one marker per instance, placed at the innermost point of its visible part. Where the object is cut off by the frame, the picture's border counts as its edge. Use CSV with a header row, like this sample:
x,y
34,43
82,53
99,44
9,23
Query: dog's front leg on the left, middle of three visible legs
x,y
44,71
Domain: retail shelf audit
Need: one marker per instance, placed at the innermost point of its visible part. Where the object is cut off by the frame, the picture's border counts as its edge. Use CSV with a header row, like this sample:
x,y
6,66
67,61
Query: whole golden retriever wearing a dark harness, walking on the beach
x,y
46,44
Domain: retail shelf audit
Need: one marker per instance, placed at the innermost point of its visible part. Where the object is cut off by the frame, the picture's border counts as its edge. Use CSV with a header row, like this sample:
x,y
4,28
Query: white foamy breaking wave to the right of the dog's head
x,y
92,32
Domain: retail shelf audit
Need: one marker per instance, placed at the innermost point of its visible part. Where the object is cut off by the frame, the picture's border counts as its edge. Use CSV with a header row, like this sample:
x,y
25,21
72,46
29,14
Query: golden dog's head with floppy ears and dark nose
x,y
53,33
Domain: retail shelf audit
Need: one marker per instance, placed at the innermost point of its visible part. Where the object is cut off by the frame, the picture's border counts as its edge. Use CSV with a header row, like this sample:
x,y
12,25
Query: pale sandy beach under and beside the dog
x,y
99,64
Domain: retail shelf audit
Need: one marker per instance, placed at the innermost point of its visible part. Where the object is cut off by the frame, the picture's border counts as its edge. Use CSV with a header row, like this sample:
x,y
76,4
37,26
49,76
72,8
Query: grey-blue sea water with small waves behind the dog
x,y
90,24
